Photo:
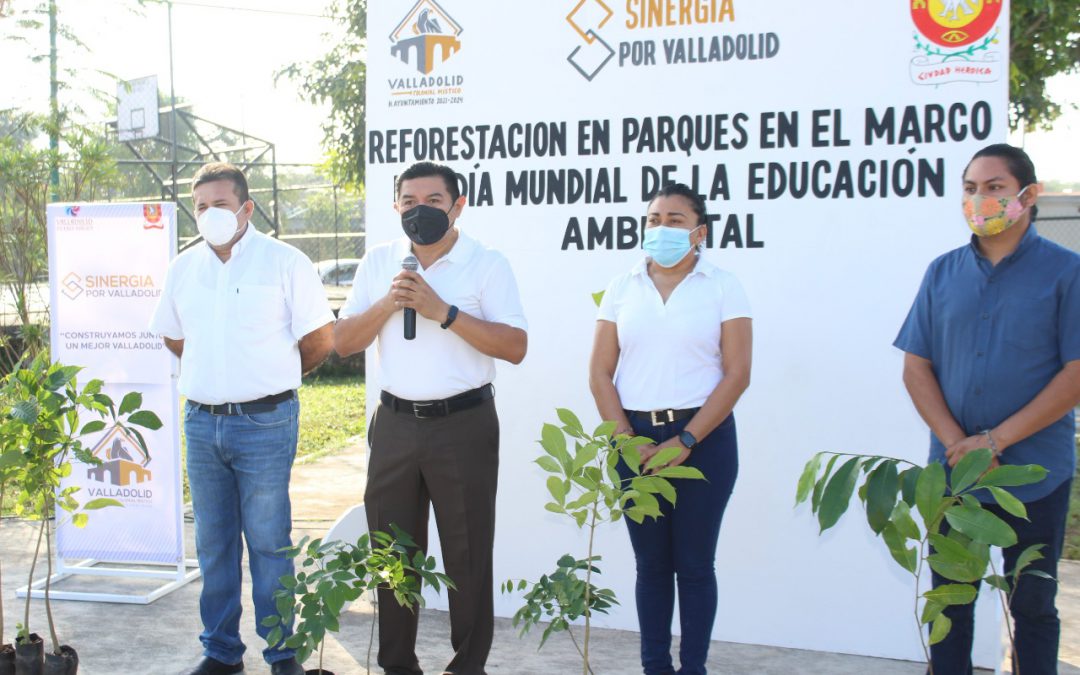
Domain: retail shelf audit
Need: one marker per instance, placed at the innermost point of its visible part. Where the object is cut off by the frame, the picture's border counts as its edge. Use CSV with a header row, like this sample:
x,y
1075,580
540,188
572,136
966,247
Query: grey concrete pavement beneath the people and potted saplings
x,y
161,639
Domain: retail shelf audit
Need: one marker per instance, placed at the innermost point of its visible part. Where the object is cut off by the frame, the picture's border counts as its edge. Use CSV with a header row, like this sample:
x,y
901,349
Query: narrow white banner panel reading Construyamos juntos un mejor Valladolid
x,y
107,268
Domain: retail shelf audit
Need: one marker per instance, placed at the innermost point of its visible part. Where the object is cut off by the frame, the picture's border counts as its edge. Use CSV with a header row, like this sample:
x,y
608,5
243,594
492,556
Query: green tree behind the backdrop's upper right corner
x,y
1046,42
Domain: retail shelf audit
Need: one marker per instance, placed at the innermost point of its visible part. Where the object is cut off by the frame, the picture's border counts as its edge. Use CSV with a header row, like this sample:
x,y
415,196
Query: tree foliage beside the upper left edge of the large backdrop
x,y
341,79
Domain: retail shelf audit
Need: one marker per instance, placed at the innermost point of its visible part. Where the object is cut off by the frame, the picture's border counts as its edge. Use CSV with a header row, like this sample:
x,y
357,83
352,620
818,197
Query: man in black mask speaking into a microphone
x,y
435,438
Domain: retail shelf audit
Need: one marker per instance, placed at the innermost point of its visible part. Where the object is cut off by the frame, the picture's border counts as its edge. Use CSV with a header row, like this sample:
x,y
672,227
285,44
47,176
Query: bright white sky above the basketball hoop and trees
x,y
225,62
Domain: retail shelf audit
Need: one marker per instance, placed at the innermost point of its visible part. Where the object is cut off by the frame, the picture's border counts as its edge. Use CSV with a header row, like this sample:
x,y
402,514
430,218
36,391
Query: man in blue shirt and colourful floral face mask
x,y
993,360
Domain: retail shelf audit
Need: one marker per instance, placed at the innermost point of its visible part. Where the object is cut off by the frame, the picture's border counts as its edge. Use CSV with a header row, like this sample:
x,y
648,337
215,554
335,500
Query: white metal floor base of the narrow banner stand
x,y
178,577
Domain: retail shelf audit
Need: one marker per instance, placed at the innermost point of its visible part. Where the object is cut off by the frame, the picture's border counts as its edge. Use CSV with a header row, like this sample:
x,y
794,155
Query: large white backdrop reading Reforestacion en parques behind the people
x,y
830,144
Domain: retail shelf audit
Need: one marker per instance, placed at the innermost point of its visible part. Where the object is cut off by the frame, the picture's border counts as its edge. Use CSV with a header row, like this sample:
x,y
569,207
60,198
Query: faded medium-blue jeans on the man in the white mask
x,y
239,468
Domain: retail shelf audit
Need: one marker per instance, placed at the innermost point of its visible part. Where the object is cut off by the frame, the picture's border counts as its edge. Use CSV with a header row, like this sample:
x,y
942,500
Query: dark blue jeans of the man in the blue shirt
x,y
1037,629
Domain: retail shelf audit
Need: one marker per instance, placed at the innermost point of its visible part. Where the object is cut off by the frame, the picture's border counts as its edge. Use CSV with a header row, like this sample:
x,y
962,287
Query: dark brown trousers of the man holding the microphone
x,y
451,464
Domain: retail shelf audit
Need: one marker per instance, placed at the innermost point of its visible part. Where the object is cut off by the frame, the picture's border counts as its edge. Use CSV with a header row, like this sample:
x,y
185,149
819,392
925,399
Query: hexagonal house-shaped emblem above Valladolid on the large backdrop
x,y
427,37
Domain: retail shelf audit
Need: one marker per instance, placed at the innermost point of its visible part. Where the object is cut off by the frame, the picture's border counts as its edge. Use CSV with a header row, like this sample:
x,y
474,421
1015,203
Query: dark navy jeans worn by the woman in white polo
x,y
682,545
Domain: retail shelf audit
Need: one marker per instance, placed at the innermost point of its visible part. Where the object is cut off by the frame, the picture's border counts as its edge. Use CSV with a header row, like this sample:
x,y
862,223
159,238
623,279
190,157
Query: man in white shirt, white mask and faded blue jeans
x,y
247,316
